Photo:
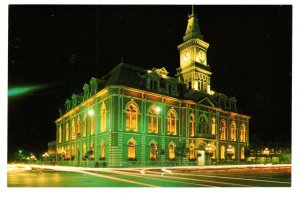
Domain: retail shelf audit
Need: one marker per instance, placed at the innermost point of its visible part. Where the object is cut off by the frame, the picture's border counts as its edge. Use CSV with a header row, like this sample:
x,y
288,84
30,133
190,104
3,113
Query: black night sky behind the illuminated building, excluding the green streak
x,y
62,47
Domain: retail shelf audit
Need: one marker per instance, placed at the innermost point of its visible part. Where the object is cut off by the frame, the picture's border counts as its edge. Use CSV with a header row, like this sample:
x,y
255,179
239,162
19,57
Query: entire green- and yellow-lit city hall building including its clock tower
x,y
138,117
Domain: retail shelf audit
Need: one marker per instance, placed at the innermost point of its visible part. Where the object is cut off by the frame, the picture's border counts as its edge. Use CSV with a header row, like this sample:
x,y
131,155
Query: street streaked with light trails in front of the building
x,y
59,176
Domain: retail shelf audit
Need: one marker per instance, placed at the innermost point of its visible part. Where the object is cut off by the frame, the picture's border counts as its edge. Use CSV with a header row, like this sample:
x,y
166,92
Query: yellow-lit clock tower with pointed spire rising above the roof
x,y
194,72
